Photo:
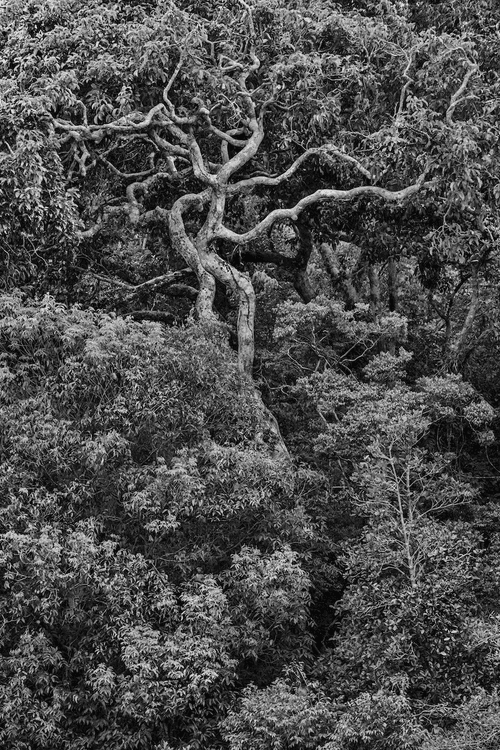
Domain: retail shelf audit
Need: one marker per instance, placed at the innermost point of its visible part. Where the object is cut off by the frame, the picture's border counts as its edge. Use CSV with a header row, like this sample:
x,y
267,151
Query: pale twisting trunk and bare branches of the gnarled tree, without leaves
x,y
198,251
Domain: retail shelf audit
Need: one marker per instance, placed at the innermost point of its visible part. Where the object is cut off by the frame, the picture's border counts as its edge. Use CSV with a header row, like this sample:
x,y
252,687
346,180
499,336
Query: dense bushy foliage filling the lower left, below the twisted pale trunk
x,y
126,620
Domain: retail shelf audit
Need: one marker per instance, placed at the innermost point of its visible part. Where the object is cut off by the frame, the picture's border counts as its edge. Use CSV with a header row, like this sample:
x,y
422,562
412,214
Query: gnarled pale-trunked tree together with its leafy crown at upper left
x,y
215,137
